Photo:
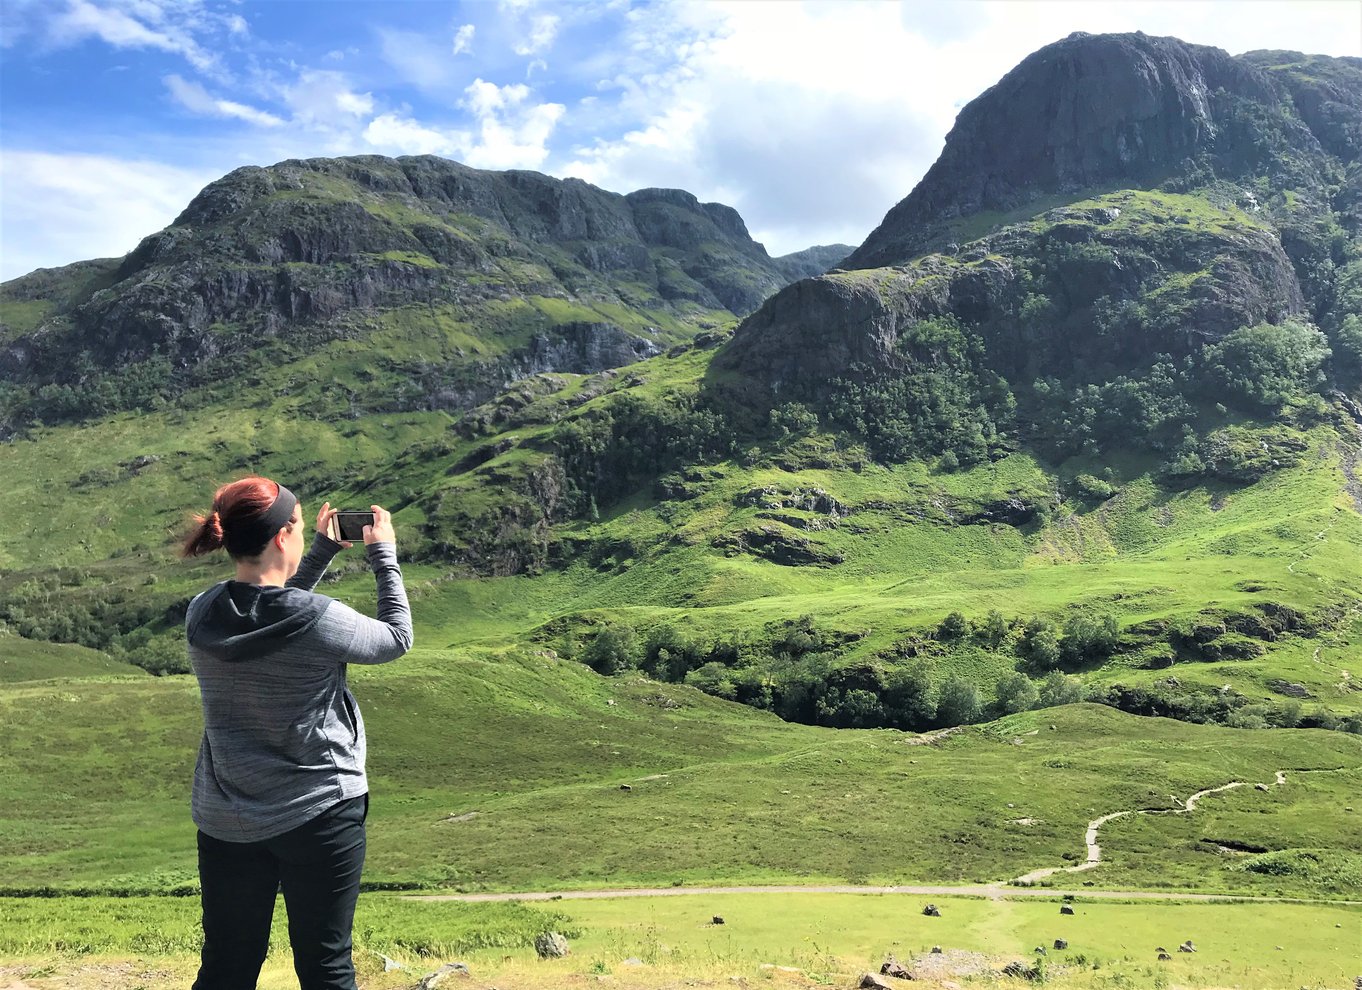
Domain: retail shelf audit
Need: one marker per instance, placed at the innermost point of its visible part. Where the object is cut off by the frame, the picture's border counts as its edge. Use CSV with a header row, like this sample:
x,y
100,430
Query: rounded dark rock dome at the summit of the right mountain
x,y
1085,112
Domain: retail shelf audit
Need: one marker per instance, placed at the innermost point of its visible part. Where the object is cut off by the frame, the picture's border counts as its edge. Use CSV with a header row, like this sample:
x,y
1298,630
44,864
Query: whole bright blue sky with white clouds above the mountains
x,y
811,118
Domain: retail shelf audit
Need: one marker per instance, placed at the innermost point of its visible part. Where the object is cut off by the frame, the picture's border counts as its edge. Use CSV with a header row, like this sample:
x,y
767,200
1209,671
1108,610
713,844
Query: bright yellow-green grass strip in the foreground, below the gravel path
x,y
795,940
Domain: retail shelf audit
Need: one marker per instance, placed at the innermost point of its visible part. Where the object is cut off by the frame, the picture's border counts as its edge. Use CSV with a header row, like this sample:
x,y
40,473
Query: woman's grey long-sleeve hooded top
x,y
283,737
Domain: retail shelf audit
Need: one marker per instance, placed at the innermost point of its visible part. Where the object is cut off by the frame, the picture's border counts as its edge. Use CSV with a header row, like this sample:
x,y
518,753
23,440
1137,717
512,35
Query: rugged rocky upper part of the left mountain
x,y
486,276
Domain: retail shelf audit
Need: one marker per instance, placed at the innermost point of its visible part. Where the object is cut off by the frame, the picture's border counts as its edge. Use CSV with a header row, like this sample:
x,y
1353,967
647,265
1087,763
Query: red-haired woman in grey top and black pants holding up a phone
x,y
280,792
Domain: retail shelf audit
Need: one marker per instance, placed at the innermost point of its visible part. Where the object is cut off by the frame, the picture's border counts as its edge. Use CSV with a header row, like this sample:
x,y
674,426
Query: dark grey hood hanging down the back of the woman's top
x,y
238,622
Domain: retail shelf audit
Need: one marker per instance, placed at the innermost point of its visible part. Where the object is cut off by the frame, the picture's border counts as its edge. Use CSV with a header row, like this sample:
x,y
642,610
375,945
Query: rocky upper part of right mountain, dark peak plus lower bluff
x,y
1221,193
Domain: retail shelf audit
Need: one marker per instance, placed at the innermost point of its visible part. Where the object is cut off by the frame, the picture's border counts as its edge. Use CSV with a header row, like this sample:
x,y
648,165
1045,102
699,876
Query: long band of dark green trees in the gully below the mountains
x,y
793,671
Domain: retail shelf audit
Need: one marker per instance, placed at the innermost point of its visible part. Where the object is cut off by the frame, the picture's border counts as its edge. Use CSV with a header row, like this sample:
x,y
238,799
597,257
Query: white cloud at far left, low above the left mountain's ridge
x,y
57,209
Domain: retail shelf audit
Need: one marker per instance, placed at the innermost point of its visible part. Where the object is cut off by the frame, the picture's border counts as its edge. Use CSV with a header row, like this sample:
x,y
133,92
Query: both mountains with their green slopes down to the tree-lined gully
x,y
1086,427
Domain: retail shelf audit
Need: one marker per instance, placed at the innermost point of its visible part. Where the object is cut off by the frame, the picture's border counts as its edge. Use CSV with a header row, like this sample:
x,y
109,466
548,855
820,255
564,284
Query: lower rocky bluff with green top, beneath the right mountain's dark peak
x,y
1192,281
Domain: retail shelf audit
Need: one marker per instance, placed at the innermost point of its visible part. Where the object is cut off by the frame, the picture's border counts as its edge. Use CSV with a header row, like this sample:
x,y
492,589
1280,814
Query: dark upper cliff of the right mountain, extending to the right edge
x,y
1124,110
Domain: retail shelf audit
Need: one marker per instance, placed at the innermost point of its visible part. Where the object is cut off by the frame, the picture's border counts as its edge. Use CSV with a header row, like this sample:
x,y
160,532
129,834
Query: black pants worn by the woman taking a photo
x,y
318,865
